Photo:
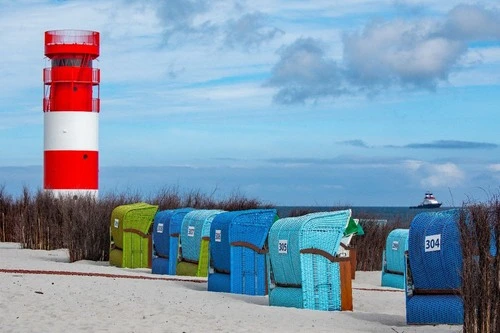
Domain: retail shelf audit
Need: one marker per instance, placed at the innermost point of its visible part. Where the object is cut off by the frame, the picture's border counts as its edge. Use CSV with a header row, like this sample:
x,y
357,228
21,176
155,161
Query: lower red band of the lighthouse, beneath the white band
x,y
68,170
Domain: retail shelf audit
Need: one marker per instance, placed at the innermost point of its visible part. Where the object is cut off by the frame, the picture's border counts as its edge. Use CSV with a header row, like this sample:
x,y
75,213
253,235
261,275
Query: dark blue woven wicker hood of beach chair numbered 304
x,y
435,267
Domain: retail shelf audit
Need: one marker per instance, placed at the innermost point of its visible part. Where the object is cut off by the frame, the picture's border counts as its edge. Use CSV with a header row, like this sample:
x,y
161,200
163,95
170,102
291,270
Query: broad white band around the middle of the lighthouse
x,y
64,130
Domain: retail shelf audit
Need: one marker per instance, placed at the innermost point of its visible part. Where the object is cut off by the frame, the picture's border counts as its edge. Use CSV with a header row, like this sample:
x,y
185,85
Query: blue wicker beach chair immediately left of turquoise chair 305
x,y
237,251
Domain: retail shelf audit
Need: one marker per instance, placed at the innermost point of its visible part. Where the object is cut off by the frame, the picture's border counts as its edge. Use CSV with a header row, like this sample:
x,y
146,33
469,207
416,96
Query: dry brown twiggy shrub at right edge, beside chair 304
x,y
480,238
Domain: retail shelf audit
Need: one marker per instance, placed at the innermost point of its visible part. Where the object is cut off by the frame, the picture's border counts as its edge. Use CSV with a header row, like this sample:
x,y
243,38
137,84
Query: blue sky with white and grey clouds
x,y
364,103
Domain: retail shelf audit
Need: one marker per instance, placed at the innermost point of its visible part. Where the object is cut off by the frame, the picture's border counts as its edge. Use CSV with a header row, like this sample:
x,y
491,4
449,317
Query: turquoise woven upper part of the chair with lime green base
x,y
195,225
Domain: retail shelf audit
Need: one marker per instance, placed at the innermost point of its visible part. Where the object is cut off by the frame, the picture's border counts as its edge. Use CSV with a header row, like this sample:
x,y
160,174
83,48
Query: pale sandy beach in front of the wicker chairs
x,y
42,292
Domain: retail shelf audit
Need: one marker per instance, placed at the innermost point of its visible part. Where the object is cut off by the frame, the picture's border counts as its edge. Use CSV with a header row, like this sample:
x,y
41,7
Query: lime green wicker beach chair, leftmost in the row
x,y
130,238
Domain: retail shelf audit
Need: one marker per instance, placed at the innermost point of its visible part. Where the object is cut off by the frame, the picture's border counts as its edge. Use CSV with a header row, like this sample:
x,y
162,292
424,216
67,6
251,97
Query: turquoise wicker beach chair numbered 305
x,y
305,271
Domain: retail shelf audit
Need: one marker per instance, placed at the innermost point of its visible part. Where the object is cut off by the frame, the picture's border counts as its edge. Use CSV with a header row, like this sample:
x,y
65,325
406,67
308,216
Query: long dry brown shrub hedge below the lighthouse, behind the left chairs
x,y
42,221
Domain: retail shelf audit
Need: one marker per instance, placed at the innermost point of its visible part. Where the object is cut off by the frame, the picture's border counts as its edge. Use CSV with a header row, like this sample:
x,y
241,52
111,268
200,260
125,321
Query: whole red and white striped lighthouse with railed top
x,y
71,113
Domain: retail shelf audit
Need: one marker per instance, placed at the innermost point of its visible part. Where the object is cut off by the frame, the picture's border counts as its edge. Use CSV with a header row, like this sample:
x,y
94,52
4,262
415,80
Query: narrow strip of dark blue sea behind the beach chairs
x,y
402,215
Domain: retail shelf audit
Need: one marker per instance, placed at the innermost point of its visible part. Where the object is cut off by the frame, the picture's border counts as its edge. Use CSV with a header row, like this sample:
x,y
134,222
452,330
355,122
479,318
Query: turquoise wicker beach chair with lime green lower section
x,y
195,242
